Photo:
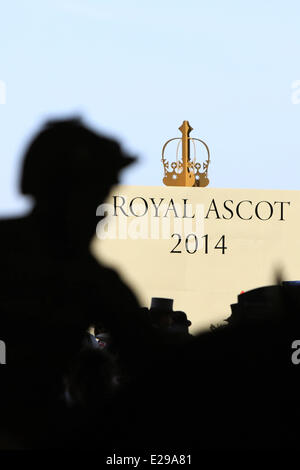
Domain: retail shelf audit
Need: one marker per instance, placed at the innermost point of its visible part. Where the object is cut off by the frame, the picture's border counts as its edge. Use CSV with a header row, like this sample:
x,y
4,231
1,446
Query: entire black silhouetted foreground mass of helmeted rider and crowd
x,y
232,388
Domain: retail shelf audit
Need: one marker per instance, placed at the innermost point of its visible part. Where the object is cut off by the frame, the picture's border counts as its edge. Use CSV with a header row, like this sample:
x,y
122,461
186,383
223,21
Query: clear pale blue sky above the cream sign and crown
x,y
137,69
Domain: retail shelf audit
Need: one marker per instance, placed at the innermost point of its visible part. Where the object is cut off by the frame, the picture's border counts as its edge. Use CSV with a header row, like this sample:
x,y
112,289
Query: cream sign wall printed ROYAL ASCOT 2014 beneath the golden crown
x,y
201,247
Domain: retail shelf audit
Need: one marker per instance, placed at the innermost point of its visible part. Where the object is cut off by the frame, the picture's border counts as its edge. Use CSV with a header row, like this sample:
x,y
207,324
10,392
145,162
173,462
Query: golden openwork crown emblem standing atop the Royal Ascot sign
x,y
185,172
